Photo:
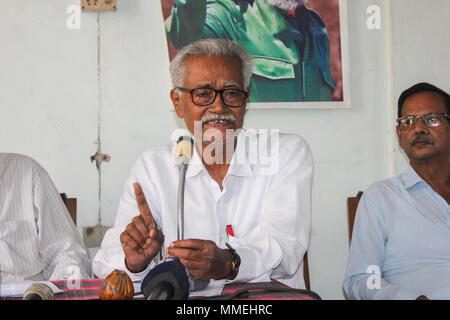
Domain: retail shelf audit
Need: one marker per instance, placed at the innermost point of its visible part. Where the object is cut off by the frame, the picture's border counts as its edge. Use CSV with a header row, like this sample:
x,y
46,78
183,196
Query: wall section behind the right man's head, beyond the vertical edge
x,y
421,50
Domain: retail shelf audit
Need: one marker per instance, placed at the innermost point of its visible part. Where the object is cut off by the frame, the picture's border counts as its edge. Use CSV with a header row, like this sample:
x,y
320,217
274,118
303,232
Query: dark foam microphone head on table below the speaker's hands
x,y
166,281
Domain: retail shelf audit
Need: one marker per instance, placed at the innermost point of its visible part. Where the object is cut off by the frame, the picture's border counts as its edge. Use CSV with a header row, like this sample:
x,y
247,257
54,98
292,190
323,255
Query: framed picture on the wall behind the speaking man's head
x,y
299,47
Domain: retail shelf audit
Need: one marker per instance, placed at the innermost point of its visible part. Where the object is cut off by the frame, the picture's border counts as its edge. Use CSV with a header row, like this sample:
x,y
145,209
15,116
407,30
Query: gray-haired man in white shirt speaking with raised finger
x,y
256,200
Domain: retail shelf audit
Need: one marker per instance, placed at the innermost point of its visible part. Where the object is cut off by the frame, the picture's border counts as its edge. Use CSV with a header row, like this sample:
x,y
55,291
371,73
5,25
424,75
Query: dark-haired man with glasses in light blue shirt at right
x,y
401,239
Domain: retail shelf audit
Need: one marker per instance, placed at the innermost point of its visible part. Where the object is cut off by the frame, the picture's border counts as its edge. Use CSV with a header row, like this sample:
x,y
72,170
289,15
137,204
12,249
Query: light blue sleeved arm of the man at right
x,y
364,277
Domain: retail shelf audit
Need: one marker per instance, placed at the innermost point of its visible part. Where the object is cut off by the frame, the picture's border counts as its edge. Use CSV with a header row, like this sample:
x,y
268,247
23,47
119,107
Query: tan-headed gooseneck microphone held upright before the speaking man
x,y
183,153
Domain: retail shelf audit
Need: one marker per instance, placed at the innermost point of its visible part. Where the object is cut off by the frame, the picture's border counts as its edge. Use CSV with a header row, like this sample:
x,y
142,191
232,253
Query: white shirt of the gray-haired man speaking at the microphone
x,y
268,206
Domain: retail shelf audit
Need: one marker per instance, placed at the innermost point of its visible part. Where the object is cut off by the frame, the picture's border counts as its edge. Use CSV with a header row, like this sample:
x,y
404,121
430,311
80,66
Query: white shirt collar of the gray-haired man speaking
x,y
239,165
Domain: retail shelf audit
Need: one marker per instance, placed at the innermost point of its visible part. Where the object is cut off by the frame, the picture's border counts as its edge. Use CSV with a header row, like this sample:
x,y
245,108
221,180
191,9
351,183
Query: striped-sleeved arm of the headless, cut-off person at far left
x,y
60,244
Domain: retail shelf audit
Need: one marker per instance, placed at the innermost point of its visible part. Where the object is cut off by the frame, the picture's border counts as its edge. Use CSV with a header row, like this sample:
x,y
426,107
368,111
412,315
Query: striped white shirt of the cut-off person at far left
x,y
38,239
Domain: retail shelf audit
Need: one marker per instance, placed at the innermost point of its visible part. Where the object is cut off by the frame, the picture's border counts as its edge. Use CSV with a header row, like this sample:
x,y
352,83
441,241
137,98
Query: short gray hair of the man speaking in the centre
x,y
211,48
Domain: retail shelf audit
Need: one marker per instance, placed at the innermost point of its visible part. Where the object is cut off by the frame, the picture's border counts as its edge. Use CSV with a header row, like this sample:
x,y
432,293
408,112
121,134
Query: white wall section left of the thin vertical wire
x,y
48,94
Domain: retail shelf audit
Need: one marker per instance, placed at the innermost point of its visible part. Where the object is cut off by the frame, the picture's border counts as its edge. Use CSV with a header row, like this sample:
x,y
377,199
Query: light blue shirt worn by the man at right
x,y
402,230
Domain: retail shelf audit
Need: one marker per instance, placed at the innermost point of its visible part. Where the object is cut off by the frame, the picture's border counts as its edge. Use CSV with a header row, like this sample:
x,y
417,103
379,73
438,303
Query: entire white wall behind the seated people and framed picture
x,y
55,98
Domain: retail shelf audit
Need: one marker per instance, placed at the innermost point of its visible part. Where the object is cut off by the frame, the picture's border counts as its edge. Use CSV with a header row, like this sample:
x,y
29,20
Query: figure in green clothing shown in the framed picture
x,y
290,47
